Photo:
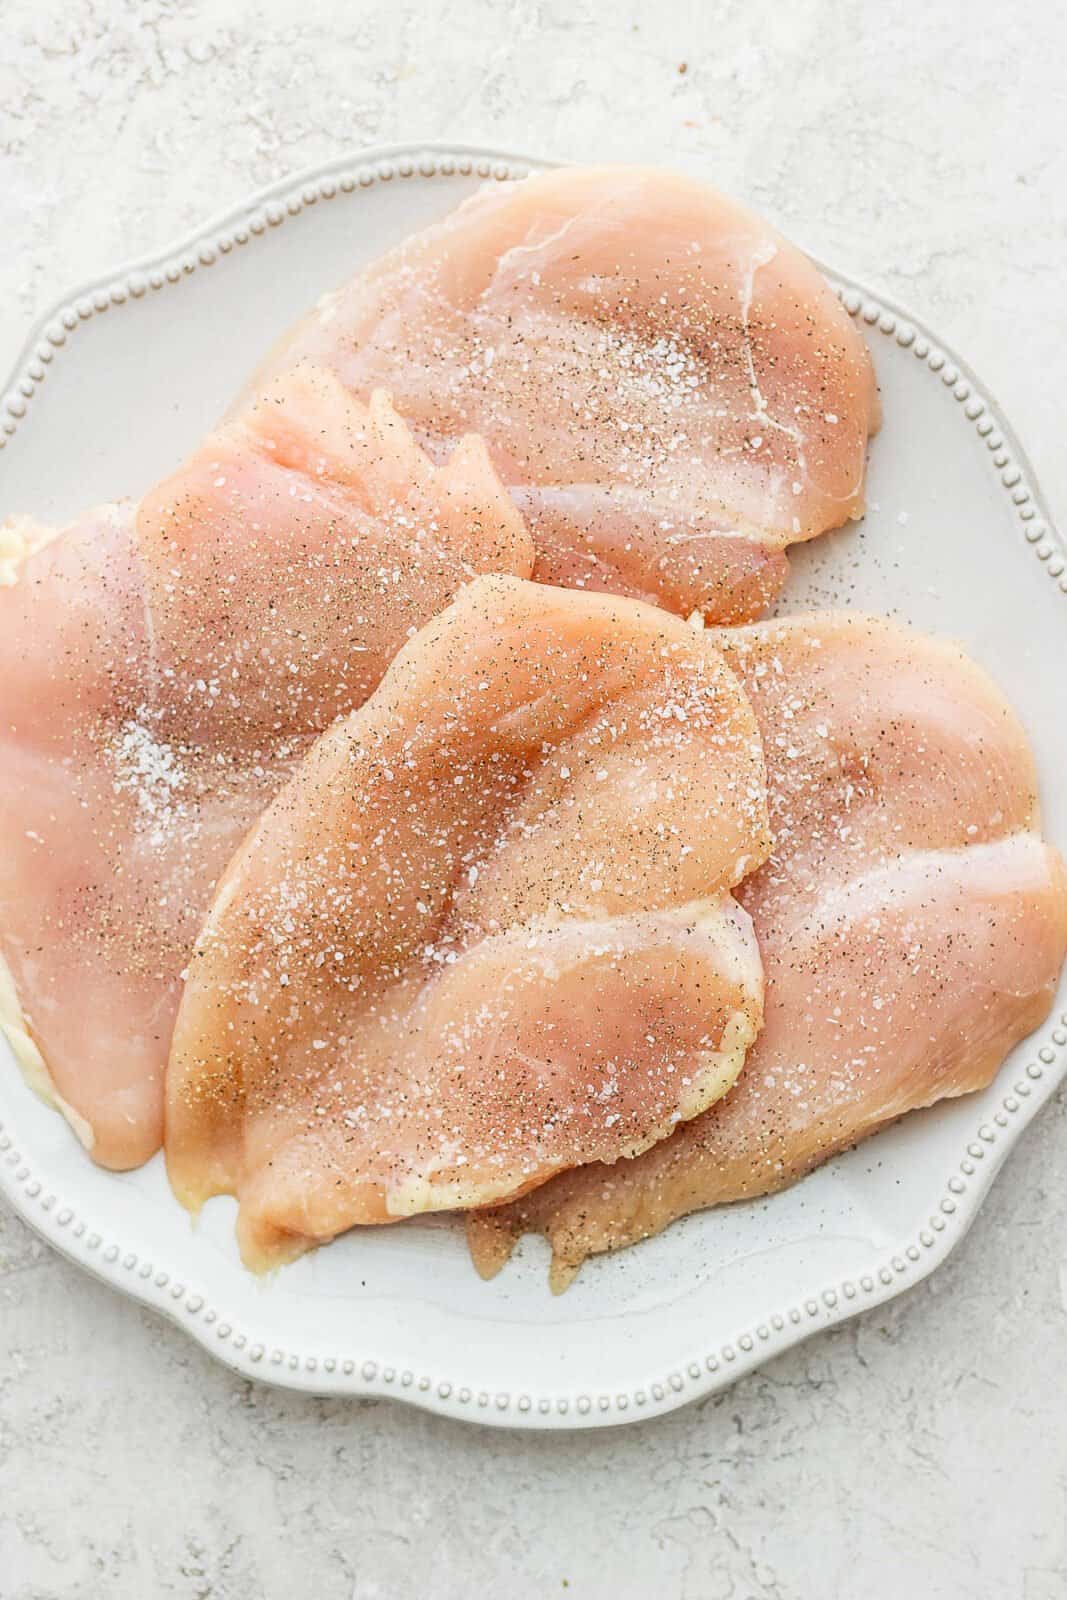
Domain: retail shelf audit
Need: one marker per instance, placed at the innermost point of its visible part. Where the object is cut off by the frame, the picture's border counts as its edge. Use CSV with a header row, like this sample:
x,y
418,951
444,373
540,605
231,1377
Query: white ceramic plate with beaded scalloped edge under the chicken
x,y
111,391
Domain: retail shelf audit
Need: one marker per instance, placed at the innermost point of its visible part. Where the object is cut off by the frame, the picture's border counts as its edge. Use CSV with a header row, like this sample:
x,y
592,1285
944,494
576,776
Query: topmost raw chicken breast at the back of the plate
x,y
669,388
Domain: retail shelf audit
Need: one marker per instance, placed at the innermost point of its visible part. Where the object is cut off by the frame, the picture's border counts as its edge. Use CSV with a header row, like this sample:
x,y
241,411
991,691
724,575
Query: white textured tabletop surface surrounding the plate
x,y
921,1450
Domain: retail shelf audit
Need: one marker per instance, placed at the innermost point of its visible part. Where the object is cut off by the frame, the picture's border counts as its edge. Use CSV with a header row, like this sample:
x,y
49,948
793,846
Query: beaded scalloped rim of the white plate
x,y
350,1375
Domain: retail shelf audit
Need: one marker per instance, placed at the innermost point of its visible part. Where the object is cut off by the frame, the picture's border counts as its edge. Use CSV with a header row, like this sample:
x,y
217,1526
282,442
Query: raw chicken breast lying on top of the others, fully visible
x,y
486,930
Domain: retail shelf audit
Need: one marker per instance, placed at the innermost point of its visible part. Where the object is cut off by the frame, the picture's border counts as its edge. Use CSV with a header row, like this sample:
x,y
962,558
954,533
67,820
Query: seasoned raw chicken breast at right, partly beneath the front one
x,y
911,919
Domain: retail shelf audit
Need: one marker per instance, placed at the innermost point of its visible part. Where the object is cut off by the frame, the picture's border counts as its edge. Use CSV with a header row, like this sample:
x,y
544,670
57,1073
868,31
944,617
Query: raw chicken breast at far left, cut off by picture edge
x,y
162,668
